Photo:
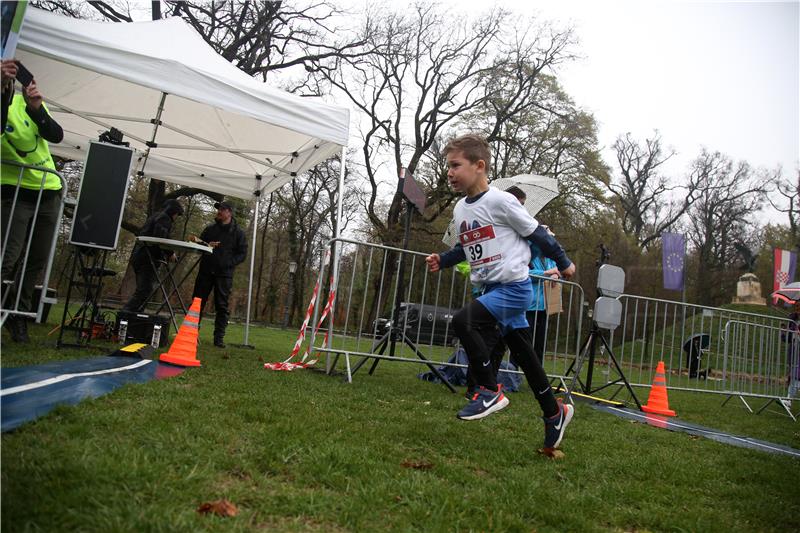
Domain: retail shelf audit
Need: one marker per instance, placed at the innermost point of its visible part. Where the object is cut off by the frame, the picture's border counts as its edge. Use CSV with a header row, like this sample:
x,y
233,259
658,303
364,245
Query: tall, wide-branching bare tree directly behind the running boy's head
x,y
425,71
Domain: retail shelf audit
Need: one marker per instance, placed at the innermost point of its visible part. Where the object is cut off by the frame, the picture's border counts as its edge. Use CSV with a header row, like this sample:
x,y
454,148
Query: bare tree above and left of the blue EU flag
x,y
643,193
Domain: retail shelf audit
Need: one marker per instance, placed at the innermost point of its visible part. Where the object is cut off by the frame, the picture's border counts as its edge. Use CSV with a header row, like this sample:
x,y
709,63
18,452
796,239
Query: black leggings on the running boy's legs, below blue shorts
x,y
470,324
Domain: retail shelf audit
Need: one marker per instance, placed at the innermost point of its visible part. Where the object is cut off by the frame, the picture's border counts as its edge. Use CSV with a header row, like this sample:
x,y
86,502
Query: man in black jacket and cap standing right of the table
x,y
216,270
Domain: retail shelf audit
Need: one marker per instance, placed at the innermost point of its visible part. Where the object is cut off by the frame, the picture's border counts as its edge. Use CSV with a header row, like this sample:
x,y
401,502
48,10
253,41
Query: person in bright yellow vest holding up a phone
x,y
27,128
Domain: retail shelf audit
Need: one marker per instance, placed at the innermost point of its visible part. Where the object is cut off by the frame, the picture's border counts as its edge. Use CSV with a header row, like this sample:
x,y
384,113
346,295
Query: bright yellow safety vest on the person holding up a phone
x,y
21,143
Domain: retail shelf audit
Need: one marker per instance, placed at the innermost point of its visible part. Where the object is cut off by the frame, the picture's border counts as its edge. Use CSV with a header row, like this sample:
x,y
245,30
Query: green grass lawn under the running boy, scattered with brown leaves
x,y
303,451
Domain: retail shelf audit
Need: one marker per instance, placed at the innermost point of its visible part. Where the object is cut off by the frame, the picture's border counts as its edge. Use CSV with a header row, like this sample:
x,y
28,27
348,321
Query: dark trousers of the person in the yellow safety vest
x,y
16,227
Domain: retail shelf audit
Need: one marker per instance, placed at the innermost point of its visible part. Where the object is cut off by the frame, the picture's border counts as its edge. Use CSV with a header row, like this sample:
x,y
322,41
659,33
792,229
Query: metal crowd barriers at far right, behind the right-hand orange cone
x,y
708,349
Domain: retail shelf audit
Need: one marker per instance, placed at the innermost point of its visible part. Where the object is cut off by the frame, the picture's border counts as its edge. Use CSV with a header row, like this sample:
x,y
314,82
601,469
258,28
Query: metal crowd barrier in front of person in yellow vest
x,y
12,307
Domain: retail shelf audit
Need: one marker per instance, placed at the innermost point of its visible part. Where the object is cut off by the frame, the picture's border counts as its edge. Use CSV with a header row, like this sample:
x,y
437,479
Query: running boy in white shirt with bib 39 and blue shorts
x,y
494,235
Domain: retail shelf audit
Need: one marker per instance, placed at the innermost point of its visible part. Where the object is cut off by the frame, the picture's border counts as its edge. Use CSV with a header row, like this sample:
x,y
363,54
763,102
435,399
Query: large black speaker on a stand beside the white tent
x,y
95,231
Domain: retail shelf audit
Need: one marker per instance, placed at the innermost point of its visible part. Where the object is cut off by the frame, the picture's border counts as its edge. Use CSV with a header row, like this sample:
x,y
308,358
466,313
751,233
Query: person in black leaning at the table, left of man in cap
x,y
158,225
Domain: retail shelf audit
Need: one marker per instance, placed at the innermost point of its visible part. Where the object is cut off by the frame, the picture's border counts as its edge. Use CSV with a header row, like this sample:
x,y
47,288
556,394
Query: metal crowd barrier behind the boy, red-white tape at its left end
x,y
364,309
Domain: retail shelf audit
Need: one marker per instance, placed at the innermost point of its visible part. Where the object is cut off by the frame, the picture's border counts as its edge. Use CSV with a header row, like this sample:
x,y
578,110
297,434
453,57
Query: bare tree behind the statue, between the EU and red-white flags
x,y
728,195
